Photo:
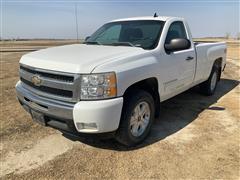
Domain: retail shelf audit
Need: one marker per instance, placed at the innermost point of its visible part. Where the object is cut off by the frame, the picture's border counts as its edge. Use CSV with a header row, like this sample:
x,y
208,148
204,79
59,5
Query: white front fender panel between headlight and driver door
x,y
132,70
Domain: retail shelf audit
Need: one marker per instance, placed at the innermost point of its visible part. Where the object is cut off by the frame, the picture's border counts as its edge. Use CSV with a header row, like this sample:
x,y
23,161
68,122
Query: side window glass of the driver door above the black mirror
x,y
176,30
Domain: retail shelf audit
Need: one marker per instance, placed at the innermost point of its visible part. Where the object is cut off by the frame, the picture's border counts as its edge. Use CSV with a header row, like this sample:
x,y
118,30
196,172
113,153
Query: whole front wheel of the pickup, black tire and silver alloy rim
x,y
137,117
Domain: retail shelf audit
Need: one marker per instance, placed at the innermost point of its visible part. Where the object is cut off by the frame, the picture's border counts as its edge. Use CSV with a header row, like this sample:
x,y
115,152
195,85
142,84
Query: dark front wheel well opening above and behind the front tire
x,y
151,86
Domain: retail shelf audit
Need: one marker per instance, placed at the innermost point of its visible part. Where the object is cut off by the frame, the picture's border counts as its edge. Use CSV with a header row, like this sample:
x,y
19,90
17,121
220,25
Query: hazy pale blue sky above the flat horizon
x,y
56,19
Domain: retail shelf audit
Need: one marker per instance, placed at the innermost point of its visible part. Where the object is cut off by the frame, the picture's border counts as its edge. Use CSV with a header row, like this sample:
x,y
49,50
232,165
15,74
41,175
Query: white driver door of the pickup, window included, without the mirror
x,y
179,65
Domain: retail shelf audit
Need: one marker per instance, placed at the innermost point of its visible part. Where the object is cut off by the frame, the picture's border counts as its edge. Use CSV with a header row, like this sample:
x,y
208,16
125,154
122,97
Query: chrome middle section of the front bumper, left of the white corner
x,y
46,106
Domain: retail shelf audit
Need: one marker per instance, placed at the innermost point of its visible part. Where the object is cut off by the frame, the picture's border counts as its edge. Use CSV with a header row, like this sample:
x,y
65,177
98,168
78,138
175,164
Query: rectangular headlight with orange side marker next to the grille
x,y
98,86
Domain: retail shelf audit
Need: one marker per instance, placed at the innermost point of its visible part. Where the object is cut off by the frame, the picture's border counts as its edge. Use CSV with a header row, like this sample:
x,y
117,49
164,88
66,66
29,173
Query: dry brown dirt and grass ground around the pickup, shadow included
x,y
196,137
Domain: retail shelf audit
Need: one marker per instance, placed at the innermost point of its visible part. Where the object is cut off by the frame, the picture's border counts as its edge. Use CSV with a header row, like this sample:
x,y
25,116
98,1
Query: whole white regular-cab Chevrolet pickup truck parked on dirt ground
x,y
115,81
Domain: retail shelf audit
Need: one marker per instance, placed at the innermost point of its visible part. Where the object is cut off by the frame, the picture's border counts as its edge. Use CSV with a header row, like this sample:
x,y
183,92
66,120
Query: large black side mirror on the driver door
x,y
177,45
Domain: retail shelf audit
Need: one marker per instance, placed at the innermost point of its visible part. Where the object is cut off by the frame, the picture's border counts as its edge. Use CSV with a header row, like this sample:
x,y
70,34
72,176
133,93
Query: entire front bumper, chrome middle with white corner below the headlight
x,y
103,114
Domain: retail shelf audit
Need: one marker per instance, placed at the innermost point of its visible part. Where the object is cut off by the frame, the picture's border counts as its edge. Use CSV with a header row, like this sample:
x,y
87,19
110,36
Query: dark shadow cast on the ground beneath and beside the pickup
x,y
176,113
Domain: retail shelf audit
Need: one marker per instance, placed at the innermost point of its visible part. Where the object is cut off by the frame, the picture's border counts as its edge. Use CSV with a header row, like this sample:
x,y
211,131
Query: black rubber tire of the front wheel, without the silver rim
x,y
131,101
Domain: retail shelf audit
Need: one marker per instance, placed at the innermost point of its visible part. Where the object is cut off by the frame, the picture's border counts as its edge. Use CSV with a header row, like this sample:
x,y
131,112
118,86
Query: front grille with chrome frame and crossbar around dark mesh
x,y
55,85
